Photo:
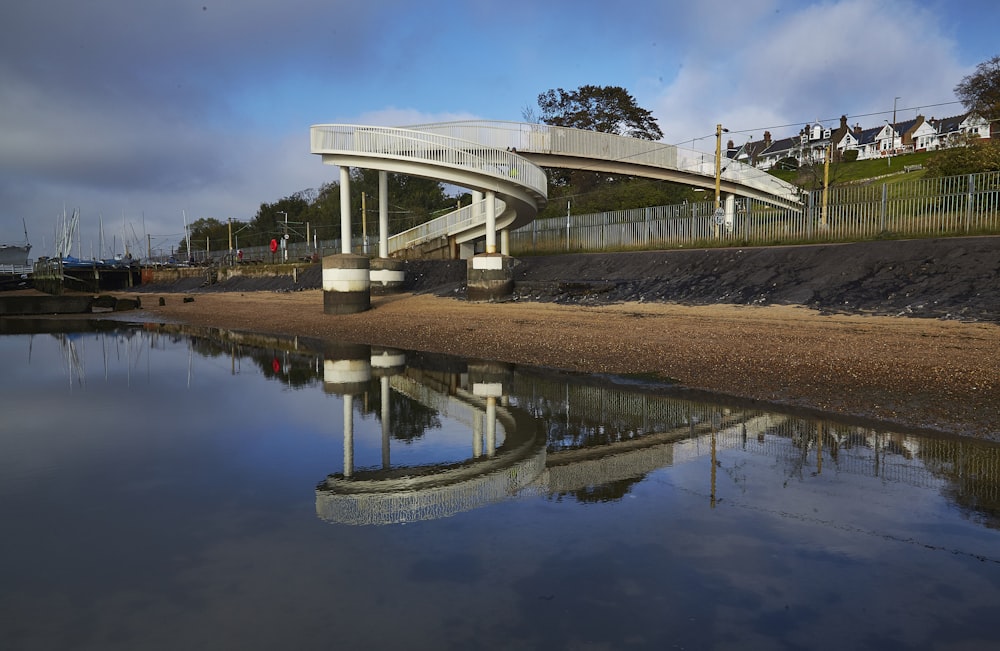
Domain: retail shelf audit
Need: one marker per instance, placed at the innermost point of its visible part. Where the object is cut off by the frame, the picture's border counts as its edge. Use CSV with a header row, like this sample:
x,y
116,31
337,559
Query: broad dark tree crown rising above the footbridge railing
x,y
608,109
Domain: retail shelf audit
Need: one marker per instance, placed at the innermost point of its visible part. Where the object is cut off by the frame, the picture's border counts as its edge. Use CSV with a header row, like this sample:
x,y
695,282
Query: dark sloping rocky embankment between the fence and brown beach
x,y
950,278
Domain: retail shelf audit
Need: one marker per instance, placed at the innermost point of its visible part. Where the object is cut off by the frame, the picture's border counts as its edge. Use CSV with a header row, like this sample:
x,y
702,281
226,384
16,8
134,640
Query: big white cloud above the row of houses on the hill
x,y
817,62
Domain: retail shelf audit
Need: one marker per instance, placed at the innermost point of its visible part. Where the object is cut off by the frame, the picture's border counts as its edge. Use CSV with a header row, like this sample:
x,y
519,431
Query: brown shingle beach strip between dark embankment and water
x,y
919,373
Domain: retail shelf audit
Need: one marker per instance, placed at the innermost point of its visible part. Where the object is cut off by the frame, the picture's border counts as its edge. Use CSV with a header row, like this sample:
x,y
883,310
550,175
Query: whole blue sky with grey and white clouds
x,y
142,113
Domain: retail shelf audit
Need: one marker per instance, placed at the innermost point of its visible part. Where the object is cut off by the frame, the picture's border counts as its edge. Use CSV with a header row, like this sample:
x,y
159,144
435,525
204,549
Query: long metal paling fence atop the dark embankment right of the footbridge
x,y
940,207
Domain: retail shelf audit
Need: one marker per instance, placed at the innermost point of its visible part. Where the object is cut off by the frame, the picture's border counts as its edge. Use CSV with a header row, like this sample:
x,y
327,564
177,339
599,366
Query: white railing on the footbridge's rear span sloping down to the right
x,y
563,141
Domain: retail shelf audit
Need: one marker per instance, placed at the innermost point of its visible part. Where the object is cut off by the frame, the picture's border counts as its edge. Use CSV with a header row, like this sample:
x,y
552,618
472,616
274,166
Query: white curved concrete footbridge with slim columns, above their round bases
x,y
501,163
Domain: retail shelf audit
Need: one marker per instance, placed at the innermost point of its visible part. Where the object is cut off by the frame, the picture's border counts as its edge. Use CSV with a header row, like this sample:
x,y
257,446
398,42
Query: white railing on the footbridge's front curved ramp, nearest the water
x,y
435,149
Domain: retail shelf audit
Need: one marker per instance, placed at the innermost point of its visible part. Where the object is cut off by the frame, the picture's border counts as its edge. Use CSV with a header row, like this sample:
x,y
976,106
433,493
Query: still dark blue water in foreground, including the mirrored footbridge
x,y
164,489
